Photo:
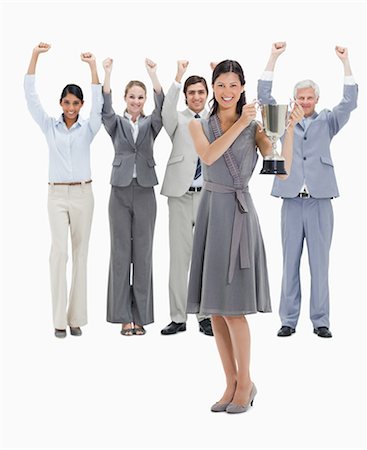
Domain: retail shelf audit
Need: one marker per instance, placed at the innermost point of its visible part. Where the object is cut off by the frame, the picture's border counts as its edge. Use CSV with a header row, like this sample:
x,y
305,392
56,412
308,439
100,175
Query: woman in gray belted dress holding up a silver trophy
x,y
228,277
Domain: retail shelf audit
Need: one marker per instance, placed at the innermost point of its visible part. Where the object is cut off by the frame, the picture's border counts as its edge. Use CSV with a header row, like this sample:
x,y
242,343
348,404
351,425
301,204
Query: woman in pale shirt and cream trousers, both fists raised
x,y
70,196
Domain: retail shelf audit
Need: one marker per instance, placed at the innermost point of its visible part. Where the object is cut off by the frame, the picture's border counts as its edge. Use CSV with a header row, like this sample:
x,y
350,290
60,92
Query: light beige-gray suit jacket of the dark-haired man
x,y
183,159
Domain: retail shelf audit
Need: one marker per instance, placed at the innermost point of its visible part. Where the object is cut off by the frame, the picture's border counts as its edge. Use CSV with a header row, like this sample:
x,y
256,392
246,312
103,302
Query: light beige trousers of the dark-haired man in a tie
x,y
182,218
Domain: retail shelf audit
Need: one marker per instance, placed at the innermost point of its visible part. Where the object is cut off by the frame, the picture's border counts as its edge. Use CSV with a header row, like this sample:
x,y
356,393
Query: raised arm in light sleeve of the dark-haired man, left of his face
x,y
169,109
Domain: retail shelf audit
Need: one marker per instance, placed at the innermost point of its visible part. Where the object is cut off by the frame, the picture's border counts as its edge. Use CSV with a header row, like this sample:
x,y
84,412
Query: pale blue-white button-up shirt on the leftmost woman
x,y
69,148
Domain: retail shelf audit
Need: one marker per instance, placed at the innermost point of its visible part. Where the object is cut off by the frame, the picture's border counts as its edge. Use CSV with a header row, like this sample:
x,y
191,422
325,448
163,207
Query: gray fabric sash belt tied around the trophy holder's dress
x,y
239,231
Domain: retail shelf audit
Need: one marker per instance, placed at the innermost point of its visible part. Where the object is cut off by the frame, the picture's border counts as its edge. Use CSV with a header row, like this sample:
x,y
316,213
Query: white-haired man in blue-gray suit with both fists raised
x,y
307,192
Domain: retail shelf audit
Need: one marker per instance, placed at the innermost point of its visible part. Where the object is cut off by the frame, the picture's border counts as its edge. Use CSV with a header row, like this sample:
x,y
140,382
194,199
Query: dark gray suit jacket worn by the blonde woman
x,y
128,153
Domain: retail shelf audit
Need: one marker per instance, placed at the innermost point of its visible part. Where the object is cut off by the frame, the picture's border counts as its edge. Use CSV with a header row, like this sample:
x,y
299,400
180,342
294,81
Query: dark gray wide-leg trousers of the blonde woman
x,y
132,213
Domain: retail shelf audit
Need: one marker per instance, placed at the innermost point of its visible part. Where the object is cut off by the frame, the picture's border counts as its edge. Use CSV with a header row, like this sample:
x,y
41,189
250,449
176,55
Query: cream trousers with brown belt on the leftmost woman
x,y
69,206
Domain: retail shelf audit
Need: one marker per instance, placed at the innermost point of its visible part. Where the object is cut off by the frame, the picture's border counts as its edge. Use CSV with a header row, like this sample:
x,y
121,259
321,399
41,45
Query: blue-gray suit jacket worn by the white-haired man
x,y
312,161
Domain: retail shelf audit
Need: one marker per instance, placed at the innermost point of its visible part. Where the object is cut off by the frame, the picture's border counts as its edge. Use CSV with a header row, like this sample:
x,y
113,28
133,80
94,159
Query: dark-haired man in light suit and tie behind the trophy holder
x,y
182,185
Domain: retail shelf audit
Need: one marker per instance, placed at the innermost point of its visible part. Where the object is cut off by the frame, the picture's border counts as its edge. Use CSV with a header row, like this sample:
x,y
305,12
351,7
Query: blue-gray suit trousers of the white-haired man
x,y
310,219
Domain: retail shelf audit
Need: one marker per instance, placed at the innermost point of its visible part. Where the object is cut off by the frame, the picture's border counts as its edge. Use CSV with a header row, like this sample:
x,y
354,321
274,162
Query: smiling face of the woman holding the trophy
x,y
227,90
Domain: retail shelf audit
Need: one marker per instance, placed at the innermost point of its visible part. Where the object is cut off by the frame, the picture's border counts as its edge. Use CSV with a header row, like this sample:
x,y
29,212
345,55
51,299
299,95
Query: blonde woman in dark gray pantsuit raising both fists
x,y
132,206
